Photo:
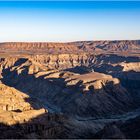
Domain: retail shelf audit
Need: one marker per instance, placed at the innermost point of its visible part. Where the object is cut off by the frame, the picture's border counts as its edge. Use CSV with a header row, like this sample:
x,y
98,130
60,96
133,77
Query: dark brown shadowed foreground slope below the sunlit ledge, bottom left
x,y
43,126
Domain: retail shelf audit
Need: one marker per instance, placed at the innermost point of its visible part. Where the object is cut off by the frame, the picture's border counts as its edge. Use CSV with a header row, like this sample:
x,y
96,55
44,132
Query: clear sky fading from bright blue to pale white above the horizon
x,y
64,21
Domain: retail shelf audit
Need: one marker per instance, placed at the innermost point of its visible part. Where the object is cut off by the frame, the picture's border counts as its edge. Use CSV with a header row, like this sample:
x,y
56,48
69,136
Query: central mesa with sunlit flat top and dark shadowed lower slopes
x,y
101,95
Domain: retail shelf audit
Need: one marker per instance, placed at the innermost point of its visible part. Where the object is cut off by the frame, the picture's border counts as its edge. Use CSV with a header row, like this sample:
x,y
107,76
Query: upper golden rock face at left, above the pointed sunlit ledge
x,y
12,100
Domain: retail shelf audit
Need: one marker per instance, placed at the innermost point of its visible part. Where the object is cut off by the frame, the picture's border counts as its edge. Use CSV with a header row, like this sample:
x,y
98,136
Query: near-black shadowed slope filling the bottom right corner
x,y
120,130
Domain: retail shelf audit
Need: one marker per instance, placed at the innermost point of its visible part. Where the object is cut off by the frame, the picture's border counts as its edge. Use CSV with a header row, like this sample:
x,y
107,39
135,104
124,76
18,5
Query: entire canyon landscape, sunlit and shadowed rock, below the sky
x,y
86,89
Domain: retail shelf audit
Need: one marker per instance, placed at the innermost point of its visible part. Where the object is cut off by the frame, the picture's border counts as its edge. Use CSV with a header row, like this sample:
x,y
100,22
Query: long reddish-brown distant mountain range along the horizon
x,y
127,46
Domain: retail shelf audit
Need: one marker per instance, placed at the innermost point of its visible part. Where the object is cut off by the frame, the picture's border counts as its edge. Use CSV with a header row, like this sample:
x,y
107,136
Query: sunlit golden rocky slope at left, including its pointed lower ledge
x,y
17,107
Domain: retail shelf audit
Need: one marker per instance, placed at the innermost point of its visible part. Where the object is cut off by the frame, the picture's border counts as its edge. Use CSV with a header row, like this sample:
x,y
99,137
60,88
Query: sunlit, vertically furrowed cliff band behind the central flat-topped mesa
x,y
63,61
